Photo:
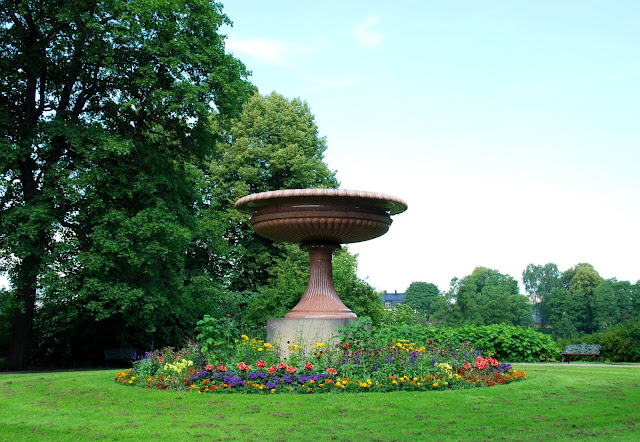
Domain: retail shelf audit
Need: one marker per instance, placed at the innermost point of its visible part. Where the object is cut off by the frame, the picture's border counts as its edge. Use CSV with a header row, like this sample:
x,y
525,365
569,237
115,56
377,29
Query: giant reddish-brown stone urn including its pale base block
x,y
320,220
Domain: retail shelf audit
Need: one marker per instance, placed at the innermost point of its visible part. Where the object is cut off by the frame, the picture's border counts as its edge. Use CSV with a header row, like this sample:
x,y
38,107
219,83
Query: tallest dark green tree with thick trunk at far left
x,y
92,92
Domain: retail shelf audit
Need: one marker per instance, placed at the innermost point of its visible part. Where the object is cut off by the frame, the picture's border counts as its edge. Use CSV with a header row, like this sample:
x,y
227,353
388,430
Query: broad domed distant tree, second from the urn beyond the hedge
x,y
486,297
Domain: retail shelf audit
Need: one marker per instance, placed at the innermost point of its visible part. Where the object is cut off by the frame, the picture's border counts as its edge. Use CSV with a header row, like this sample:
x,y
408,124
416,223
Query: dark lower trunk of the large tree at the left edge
x,y
23,315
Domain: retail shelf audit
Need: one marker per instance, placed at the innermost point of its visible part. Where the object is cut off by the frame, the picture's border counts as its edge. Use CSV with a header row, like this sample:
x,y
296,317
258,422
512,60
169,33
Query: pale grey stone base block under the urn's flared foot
x,y
281,332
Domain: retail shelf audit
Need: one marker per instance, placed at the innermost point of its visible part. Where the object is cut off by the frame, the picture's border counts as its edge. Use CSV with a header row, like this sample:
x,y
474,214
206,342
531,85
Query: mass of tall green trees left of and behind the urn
x,y
127,135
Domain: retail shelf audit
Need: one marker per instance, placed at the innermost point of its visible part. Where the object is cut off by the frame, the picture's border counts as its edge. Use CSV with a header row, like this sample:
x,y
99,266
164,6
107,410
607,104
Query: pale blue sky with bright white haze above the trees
x,y
511,128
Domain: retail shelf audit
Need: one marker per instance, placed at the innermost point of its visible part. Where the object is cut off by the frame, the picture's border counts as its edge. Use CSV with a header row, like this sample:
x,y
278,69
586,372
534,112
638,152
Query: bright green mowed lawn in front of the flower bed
x,y
556,402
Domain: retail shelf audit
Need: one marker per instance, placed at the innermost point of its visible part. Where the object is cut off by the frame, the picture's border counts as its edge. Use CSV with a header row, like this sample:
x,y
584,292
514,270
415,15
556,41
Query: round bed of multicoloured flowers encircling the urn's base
x,y
252,366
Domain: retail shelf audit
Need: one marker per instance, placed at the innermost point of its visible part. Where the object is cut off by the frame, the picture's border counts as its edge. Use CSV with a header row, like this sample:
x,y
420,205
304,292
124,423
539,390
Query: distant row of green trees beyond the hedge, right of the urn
x,y
565,304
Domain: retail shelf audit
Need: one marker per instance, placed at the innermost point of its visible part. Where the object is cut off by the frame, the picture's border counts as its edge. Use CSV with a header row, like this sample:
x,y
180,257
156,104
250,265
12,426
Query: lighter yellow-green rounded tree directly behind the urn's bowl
x,y
274,144
